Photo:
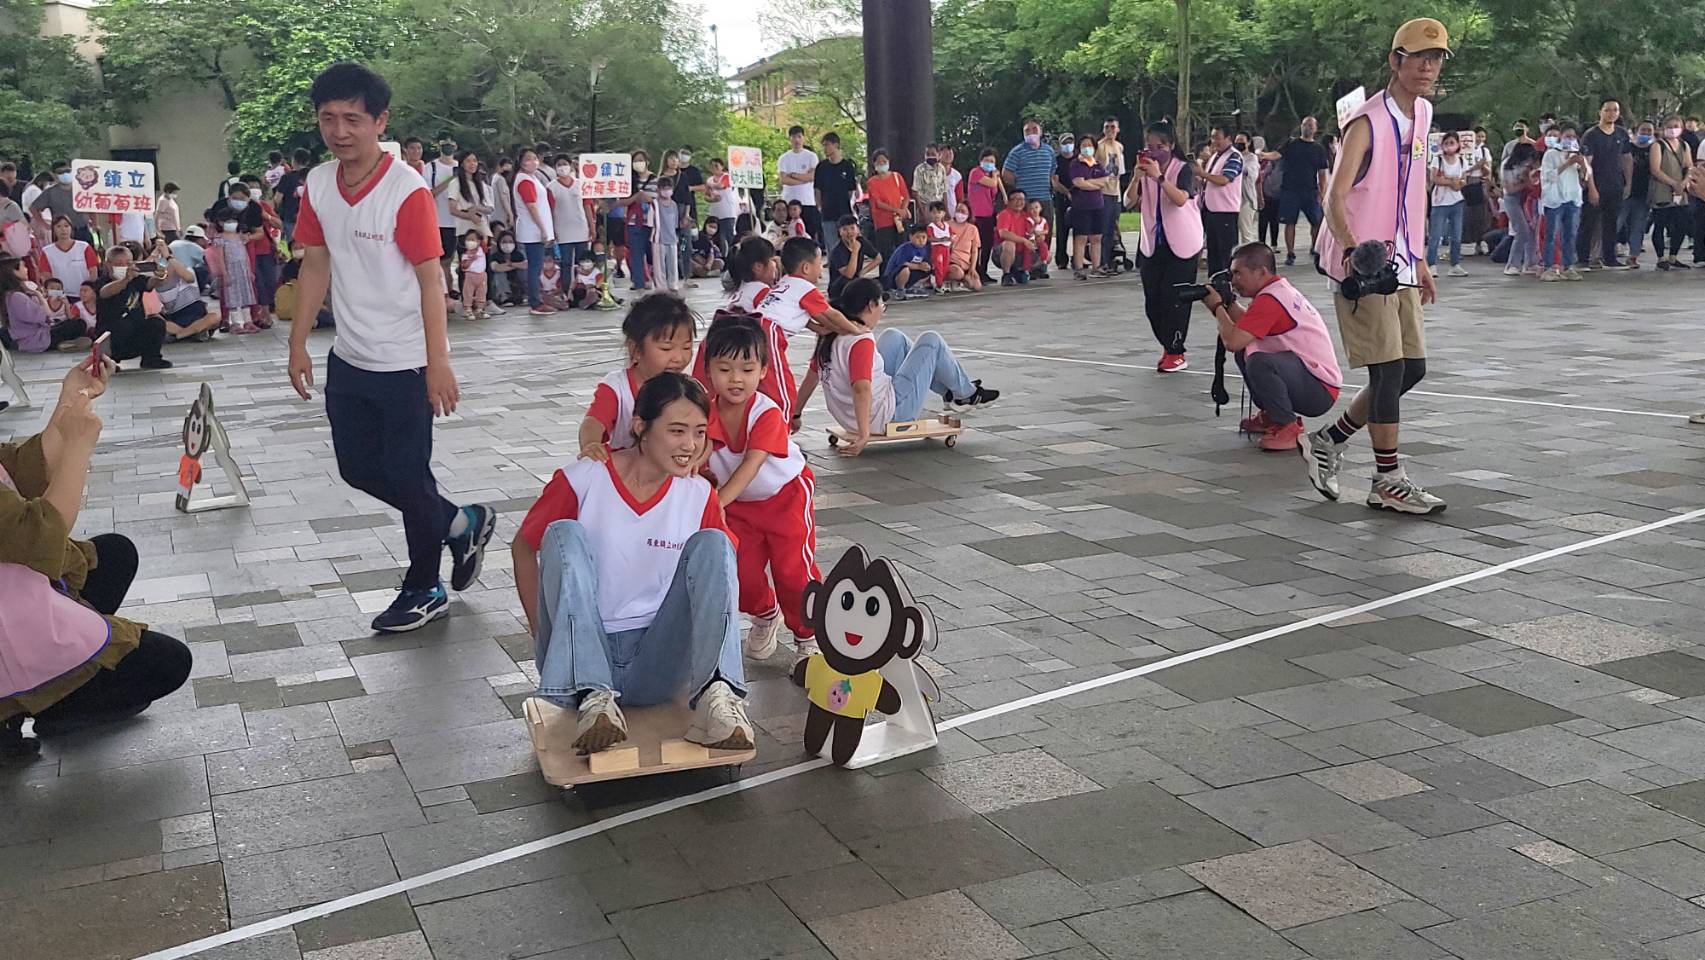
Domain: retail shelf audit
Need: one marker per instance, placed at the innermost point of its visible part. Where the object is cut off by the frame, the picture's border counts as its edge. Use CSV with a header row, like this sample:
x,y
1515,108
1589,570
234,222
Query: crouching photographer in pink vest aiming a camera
x,y
1281,344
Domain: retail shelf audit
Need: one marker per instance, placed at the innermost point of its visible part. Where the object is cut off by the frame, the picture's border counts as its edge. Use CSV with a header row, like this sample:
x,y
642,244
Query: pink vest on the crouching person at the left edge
x,y
43,633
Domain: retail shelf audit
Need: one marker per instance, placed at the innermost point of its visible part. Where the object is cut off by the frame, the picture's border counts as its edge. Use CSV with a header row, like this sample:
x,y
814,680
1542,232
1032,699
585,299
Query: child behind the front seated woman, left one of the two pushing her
x,y
659,338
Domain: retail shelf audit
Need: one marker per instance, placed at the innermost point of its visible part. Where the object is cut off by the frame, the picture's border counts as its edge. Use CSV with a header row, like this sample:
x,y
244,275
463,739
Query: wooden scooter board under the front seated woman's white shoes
x,y
654,746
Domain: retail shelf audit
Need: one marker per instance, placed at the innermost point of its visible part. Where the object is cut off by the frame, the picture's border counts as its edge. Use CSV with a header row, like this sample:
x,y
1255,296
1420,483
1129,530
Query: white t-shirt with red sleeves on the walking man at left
x,y
376,240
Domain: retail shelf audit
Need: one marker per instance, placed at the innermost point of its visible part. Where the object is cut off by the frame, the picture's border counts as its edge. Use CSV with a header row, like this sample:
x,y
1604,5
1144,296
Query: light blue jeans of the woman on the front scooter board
x,y
693,640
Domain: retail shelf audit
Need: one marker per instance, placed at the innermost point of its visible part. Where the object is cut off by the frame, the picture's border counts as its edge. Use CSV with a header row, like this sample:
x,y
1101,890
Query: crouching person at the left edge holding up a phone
x,y
64,657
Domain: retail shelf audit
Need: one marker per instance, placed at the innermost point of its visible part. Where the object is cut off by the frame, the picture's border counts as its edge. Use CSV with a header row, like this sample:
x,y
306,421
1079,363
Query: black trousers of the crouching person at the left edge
x,y
158,668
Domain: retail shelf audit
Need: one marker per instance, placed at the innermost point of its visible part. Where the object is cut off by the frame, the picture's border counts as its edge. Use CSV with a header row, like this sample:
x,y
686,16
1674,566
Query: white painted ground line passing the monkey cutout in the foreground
x,y
787,773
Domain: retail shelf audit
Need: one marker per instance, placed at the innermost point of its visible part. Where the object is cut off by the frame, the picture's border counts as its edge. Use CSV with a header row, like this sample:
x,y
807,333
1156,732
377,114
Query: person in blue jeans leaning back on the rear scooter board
x,y
870,381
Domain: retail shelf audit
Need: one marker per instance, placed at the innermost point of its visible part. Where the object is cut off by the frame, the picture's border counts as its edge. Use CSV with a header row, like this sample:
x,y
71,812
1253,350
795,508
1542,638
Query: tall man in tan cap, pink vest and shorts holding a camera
x,y
1380,194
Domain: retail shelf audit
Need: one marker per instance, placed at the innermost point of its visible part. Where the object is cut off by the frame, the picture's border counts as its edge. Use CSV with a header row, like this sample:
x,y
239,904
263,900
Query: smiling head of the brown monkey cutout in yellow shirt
x,y
864,616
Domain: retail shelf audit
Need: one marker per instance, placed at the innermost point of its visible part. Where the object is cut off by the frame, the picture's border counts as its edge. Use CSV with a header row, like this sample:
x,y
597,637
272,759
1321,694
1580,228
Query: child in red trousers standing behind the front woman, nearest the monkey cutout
x,y
765,487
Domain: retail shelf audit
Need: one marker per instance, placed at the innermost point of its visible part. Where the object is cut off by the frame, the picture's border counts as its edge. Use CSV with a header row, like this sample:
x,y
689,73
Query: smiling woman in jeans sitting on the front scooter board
x,y
628,577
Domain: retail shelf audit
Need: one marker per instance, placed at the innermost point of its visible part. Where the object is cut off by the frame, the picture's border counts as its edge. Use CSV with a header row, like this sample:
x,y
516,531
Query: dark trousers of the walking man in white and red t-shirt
x,y
381,431
